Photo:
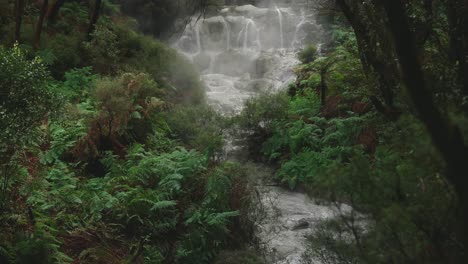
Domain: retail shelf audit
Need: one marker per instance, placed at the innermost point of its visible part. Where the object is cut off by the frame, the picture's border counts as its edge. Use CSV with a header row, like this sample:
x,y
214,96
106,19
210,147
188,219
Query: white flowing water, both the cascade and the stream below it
x,y
241,52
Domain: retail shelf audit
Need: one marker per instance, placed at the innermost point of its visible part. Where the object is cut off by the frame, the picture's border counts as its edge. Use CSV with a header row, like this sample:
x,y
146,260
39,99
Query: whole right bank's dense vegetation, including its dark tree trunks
x,y
377,122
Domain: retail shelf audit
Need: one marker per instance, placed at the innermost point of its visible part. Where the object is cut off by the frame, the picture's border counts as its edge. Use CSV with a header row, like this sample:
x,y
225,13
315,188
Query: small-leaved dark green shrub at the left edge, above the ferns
x,y
25,97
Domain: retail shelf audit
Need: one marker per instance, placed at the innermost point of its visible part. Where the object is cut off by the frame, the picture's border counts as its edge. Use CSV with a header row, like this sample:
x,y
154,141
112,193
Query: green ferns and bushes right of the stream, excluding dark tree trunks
x,y
401,207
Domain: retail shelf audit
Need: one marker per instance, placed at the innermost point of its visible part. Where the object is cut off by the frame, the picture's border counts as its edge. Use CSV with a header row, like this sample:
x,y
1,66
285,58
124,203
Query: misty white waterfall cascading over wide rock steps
x,y
247,45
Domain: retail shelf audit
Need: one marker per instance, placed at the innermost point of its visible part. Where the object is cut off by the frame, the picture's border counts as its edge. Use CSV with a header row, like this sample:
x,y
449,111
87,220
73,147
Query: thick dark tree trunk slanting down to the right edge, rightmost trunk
x,y
445,136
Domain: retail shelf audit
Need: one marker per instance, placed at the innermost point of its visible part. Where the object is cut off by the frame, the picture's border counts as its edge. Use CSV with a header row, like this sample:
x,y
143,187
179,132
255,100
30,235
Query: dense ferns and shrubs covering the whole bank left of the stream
x,y
105,155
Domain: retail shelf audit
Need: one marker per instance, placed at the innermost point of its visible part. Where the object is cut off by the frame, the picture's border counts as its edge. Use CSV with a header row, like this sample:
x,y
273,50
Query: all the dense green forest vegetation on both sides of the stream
x,y
110,154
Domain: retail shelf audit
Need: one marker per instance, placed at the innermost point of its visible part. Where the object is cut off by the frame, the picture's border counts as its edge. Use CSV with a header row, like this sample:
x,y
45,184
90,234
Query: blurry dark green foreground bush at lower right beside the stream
x,y
406,200
